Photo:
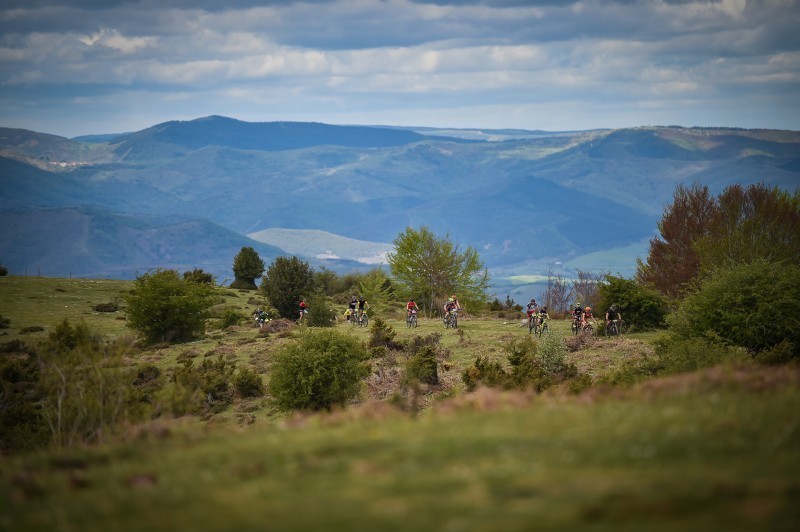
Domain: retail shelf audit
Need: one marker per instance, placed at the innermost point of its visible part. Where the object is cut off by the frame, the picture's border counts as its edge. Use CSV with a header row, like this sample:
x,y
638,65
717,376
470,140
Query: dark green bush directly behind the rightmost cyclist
x,y
642,306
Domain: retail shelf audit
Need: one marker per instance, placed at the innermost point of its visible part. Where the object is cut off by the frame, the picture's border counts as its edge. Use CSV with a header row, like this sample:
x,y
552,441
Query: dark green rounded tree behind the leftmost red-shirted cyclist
x,y
287,281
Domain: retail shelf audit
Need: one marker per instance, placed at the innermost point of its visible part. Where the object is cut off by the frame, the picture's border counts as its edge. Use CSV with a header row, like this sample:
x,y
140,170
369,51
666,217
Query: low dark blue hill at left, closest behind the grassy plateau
x,y
82,243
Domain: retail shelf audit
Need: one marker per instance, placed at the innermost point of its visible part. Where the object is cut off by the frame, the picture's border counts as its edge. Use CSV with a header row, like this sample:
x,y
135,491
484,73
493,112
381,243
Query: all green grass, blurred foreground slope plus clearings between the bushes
x,y
713,450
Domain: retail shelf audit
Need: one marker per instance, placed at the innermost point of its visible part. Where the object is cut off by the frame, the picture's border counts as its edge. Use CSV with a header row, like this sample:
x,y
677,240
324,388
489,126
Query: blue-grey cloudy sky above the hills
x,y
103,66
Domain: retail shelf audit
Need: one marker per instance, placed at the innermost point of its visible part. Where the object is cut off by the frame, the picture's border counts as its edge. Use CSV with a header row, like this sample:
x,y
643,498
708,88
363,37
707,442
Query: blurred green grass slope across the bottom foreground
x,y
720,457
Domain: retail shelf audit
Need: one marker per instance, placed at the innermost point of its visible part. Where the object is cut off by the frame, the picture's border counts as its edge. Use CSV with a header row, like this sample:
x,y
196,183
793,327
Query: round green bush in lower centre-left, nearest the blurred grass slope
x,y
322,369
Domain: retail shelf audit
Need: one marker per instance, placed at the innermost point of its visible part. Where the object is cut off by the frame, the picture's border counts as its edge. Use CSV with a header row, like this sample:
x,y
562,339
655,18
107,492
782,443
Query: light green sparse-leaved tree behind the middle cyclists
x,y
431,268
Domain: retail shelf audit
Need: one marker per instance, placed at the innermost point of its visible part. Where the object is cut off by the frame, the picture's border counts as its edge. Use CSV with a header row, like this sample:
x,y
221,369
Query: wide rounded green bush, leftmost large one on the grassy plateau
x,y
164,307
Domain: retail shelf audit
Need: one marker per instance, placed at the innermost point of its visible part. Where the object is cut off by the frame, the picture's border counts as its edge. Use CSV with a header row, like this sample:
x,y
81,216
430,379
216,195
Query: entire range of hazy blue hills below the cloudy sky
x,y
528,201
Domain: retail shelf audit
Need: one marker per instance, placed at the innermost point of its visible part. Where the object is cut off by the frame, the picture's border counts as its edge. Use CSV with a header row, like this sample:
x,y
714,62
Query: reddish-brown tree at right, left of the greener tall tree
x,y
672,261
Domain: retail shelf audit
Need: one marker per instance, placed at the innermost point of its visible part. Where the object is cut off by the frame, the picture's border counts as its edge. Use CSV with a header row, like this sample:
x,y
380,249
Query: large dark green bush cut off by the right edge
x,y
748,305
